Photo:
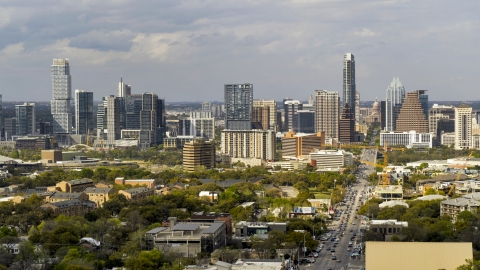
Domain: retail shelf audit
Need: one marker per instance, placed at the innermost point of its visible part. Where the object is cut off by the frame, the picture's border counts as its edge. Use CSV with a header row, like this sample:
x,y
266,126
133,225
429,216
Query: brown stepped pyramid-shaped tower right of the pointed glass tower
x,y
411,116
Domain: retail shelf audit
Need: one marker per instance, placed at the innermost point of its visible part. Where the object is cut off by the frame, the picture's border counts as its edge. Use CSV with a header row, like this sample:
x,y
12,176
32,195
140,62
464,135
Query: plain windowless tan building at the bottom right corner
x,y
416,255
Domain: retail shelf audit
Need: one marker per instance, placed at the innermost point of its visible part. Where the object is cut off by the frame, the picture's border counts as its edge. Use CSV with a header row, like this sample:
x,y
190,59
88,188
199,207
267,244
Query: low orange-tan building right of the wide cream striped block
x,y
301,145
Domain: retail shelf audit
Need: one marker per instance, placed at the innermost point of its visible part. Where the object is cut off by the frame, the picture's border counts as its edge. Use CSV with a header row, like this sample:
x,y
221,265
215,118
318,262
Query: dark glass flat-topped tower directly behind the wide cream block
x,y
238,106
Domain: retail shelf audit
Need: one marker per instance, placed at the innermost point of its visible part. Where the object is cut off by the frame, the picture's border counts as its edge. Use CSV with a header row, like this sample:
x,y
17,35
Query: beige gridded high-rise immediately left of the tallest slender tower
x,y
326,113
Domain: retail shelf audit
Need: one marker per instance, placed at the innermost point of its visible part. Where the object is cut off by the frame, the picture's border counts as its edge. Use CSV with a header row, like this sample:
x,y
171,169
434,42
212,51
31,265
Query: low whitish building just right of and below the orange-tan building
x,y
332,158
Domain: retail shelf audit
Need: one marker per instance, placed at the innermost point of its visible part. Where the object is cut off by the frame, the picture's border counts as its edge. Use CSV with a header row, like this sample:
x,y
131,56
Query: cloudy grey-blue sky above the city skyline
x,y
187,50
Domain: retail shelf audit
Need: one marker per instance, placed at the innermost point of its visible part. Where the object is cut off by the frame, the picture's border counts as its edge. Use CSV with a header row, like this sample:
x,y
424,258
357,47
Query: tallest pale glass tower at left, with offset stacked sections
x,y
62,95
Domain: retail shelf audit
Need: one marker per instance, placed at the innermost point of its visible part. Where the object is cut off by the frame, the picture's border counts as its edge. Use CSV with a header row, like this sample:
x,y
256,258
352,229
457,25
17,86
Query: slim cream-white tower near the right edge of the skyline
x,y
463,127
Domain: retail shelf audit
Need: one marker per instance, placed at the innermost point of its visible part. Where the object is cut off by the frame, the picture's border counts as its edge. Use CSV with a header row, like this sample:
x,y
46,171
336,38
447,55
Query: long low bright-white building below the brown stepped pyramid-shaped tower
x,y
410,139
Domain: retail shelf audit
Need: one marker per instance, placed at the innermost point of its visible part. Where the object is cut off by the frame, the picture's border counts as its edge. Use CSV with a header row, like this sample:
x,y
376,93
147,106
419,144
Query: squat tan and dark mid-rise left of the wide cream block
x,y
198,153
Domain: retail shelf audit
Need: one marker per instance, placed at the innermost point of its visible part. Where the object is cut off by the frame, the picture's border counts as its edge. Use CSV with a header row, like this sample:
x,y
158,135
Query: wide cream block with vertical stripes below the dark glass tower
x,y
259,144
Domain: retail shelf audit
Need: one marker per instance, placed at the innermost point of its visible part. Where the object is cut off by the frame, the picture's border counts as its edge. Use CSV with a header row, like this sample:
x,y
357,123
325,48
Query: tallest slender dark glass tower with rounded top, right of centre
x,y
349,86
